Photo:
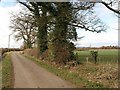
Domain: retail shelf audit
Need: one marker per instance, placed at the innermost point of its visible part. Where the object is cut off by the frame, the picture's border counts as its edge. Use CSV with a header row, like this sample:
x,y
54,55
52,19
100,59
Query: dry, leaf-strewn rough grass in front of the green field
x,y
105,74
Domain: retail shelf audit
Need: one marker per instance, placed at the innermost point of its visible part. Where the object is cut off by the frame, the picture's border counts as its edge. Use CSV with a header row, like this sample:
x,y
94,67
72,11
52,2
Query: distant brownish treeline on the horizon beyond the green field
x,y
103,47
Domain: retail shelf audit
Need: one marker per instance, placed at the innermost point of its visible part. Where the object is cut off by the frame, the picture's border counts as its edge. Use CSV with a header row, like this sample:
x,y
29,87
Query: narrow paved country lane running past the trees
x,y
27,74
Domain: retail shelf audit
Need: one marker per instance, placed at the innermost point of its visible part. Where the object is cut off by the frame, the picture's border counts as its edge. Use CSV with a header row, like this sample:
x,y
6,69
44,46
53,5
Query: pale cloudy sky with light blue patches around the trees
x,y
110,37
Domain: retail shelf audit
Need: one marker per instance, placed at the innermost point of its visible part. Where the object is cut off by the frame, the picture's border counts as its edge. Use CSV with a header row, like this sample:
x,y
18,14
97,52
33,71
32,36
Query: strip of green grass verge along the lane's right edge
x,y
66,74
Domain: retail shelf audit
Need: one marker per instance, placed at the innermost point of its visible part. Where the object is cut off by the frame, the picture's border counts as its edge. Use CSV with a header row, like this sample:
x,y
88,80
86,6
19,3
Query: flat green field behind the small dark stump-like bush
x,y
104,56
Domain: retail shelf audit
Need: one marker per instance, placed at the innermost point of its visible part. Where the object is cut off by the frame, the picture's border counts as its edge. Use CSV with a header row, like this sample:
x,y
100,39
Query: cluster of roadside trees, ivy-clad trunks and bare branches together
x,y
52,26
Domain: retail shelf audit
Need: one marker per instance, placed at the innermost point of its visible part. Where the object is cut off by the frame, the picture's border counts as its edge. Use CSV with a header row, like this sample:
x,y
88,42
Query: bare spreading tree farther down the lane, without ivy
x,y
24,27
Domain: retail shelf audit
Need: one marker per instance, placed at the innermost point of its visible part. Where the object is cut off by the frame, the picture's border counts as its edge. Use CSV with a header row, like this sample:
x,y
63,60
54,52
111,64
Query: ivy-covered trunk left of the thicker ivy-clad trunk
x,y
42,29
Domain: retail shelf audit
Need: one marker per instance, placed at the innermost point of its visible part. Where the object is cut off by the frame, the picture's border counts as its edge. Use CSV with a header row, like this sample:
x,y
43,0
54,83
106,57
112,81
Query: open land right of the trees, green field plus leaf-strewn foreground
x,y
106,69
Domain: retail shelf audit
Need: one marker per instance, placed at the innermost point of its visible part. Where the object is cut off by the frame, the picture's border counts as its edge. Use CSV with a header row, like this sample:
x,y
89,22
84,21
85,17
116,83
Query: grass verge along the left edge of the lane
x,y
7,72
